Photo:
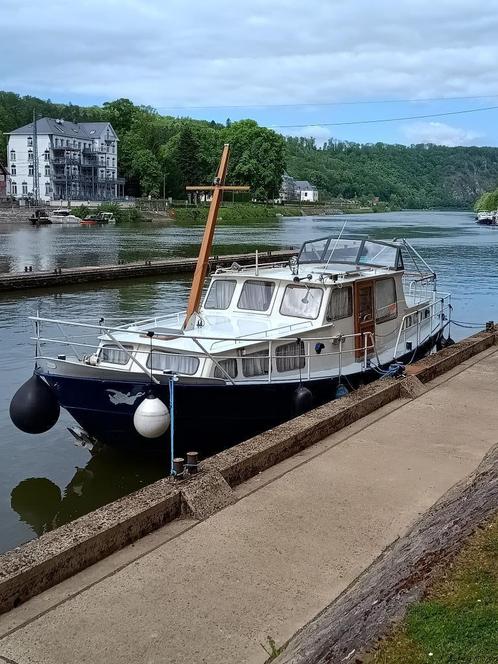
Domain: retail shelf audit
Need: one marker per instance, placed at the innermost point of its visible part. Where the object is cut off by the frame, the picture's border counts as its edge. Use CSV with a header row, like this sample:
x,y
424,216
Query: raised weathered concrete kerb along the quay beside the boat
x,y
43,562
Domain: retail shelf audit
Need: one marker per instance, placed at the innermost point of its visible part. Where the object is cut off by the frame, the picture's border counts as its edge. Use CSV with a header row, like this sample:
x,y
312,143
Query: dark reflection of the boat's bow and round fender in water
x,y
108,475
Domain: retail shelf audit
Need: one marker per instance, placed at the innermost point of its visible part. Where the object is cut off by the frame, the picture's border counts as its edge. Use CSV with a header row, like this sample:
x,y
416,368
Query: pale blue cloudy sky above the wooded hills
x,y
298,67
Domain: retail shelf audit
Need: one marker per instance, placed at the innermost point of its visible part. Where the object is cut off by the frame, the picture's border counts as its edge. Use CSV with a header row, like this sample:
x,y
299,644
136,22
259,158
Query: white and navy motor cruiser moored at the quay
x,y
265,343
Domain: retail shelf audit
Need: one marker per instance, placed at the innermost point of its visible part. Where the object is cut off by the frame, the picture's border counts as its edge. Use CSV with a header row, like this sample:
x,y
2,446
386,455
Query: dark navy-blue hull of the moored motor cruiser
x,y
208,418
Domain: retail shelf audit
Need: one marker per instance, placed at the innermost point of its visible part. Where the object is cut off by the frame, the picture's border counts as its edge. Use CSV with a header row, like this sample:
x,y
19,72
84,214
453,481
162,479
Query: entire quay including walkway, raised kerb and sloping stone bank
x,y
328,526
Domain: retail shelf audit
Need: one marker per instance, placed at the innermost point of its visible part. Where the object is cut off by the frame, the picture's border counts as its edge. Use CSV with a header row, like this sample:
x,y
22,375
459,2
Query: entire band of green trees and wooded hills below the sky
x,y
157,152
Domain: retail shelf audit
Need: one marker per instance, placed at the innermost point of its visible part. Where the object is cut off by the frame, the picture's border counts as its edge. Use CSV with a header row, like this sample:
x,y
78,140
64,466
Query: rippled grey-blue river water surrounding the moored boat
x,y
46,480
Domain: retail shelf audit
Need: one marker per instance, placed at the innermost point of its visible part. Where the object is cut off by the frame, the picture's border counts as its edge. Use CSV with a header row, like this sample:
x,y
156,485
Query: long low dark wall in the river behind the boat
x,y
12,281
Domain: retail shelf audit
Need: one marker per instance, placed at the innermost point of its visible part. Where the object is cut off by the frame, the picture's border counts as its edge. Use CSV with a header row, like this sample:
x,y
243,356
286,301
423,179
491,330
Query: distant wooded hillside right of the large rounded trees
x,y
416,176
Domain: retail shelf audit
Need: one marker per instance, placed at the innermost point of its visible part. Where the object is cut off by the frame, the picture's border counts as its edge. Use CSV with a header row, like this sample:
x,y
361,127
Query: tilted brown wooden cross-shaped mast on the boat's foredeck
x,y
217,188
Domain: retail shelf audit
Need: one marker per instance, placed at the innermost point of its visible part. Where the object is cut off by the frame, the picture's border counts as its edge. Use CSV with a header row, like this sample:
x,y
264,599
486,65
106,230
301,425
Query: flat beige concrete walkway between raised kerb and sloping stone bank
x,y
299,534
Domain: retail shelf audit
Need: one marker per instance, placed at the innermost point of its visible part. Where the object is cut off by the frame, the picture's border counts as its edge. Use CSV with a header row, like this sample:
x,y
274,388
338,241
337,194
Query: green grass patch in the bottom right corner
x,y
457,623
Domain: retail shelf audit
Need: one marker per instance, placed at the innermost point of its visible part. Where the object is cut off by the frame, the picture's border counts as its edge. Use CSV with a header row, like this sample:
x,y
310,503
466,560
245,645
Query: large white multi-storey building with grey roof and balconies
x,y
76,161
